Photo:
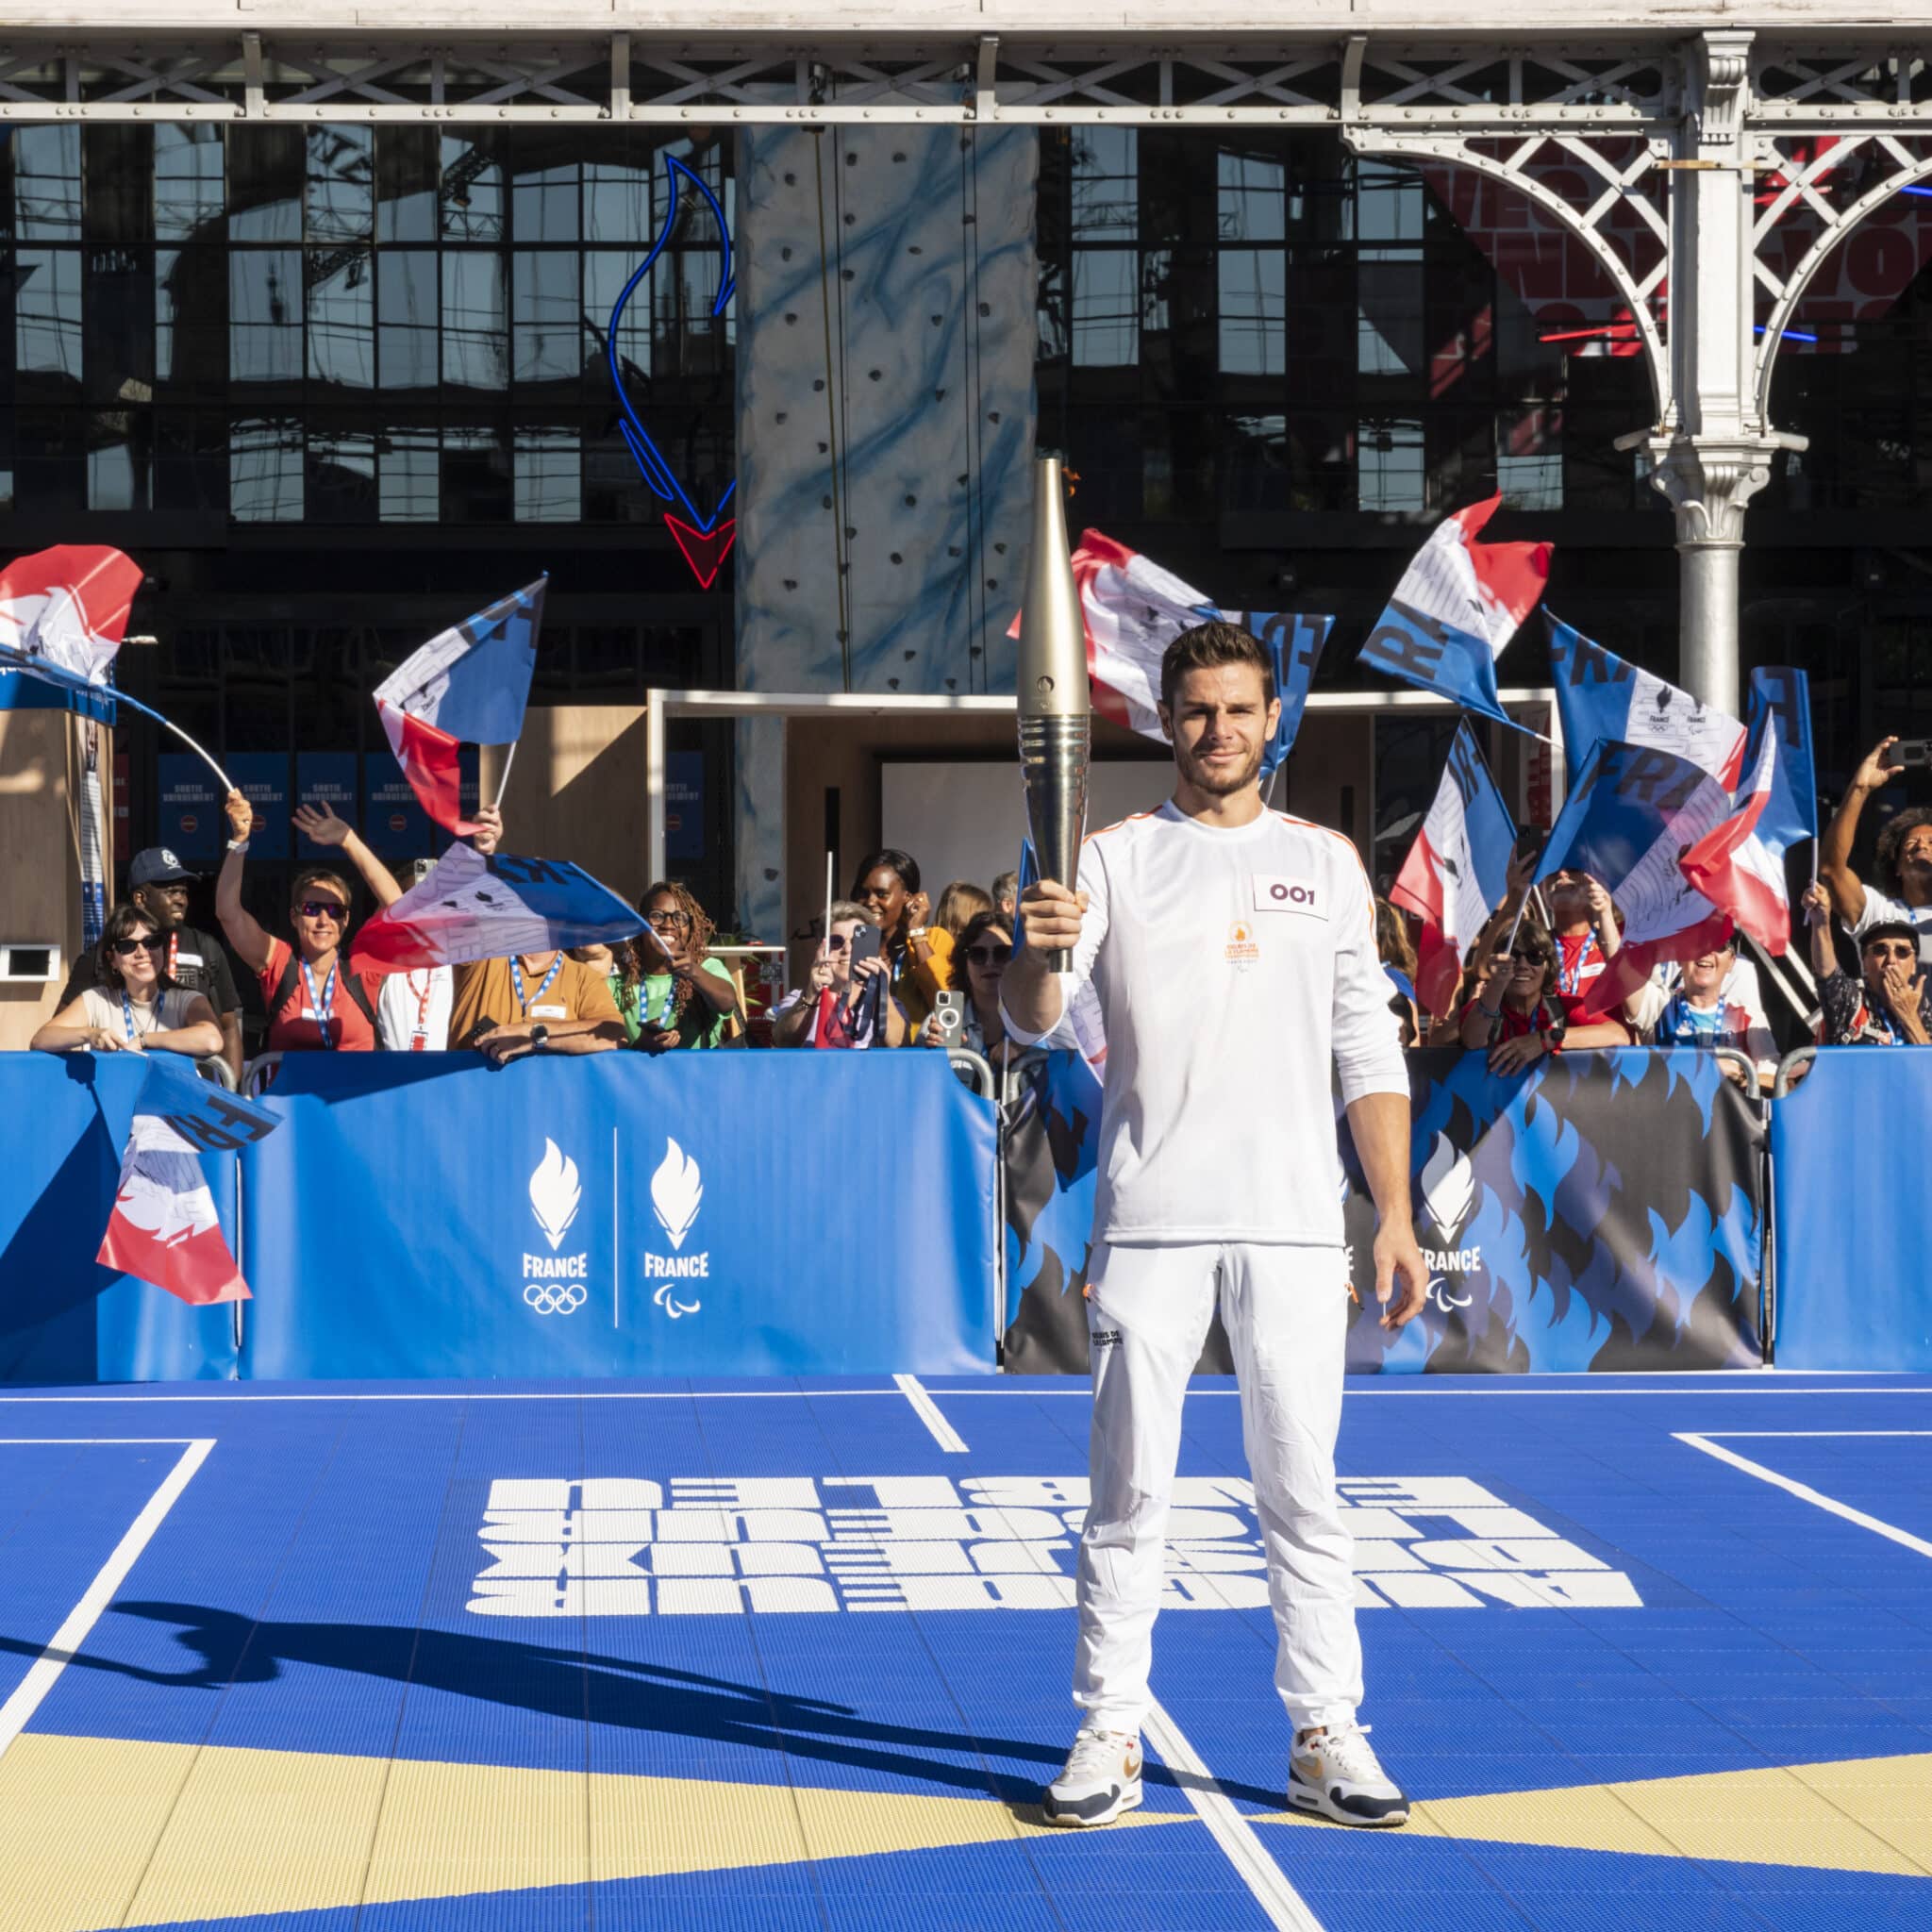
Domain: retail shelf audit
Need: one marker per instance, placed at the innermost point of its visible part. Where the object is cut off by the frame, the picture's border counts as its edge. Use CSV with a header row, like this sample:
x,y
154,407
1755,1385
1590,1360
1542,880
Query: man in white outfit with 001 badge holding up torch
x,y
1234,952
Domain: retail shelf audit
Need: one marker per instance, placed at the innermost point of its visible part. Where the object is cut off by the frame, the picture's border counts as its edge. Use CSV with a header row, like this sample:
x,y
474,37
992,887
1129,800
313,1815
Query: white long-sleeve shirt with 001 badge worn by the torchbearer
x,y
1234,967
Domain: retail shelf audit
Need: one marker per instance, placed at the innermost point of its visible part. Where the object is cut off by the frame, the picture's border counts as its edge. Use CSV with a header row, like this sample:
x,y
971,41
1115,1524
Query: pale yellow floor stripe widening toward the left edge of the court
x,y
109,1833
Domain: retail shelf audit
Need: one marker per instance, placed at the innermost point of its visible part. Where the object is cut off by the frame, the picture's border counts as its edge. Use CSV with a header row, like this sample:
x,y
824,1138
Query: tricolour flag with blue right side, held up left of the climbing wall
x,y
467,687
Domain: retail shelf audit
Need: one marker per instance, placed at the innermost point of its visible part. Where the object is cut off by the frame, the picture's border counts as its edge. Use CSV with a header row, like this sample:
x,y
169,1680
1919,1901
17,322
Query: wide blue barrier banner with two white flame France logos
x,y
704,1214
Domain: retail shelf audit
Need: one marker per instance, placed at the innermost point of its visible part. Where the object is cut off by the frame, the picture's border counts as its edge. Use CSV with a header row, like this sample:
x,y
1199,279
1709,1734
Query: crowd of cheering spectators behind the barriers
x,y
895,969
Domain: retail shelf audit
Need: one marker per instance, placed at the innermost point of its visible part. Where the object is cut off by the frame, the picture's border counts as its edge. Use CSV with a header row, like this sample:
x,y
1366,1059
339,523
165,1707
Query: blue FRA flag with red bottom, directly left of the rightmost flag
x,y
1632,818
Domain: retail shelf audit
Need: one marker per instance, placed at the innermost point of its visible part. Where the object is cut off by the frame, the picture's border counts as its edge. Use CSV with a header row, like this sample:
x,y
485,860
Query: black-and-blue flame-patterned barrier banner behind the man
x,y
1601,1212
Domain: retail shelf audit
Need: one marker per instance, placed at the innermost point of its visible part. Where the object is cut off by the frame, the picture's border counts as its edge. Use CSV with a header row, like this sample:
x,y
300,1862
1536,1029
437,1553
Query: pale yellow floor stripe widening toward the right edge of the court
x,y
1865,1815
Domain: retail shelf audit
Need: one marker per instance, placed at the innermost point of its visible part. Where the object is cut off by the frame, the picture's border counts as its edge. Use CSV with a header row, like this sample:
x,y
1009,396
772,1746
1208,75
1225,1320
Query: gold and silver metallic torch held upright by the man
x,y
1056,720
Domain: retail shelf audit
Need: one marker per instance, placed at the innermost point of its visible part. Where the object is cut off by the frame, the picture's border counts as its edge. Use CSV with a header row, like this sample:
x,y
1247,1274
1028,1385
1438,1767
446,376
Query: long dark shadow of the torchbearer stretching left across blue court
x,y
615,1691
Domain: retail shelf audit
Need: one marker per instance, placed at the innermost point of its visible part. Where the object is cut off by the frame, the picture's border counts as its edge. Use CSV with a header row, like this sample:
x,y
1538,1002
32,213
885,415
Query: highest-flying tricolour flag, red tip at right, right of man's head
x,y
1458,606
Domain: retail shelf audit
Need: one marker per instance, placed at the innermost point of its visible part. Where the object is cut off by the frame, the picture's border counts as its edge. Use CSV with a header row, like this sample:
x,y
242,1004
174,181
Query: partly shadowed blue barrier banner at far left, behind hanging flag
x,y
65,1319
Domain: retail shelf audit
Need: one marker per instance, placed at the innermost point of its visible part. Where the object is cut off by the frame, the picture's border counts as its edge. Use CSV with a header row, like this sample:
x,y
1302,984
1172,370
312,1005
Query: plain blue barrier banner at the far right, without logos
x,y
1854,1212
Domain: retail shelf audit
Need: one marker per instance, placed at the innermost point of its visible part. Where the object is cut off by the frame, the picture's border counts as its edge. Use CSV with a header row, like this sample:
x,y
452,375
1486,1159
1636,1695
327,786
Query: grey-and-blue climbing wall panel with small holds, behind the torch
x,y
886,426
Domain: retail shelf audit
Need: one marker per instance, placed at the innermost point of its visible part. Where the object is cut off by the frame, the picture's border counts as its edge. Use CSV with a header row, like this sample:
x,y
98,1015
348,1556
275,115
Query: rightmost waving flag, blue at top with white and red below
x,y
1742,867
